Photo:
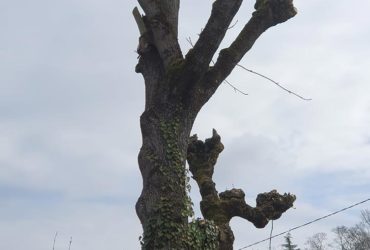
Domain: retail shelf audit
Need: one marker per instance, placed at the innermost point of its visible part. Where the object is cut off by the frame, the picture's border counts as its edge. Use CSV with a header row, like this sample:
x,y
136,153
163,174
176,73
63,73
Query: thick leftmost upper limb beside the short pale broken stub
x,y
162,20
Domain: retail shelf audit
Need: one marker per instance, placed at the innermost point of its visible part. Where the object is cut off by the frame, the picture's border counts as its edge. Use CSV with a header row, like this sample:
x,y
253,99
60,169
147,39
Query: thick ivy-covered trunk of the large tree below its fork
x,y
164,206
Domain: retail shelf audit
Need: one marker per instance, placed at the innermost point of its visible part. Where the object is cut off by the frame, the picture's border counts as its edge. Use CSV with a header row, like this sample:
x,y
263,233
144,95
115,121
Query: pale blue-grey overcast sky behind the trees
x,y
70,103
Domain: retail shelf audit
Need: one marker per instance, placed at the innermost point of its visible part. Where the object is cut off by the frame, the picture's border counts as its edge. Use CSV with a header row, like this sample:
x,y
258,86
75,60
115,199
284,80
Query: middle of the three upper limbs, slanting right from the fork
x,y
210,38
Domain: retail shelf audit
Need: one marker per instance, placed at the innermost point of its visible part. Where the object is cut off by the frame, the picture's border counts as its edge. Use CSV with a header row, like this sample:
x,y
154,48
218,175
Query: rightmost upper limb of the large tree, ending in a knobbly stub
x,y
267,13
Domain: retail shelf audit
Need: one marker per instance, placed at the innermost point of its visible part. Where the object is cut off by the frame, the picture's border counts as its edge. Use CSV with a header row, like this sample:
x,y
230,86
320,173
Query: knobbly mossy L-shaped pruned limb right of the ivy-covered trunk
x,y
221,208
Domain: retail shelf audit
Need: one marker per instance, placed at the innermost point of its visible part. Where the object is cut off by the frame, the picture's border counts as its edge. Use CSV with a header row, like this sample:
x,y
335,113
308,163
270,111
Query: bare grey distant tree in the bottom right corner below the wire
x,y
356,237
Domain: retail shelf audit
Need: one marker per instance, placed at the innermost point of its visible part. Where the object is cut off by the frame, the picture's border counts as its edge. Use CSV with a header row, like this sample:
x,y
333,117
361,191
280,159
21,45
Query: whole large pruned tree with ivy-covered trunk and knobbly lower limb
x,y
176,88
